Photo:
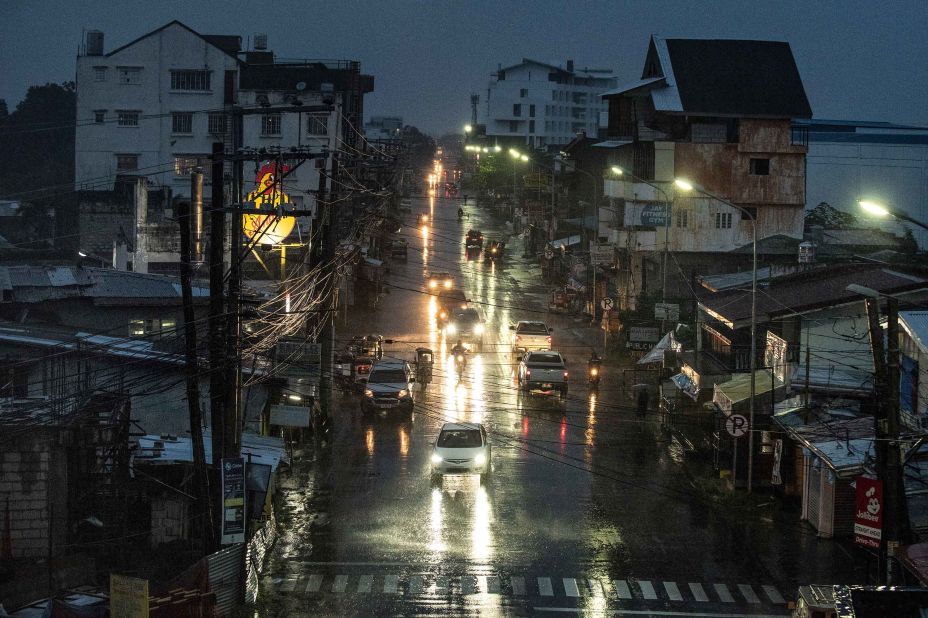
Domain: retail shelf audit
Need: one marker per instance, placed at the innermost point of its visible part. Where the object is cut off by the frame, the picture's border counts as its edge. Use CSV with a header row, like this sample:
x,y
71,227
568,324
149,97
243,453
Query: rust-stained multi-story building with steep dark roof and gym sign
x,y
719,113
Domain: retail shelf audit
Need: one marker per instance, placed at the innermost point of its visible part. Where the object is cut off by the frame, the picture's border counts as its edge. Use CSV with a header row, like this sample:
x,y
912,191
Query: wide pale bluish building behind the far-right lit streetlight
x,y
852,160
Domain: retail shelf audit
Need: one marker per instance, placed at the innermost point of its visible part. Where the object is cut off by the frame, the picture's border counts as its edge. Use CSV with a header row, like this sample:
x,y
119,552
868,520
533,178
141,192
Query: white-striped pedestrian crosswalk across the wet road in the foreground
x,y
625,589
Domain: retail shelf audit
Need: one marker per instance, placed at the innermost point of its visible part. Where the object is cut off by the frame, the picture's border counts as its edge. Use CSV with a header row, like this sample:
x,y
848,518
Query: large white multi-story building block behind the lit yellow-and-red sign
x,y
155,106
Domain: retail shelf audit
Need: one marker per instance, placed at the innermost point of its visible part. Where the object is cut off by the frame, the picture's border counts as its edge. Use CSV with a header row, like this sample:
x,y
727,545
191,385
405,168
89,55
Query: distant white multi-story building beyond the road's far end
x,y
540,105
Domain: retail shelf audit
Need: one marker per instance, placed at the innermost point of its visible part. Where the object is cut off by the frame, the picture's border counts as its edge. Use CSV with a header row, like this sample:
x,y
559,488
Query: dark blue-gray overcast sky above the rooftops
x,y
858,59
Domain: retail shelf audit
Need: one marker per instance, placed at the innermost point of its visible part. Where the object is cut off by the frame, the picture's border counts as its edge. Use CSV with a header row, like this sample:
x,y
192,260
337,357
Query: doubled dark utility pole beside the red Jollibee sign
x,y
886,424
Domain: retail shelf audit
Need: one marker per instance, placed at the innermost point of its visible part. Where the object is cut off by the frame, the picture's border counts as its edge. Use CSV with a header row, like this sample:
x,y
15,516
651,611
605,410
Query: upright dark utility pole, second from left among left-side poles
x,y
217,348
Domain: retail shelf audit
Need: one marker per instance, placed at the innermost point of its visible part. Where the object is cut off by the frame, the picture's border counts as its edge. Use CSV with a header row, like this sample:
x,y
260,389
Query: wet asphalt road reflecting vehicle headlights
x,y
588,510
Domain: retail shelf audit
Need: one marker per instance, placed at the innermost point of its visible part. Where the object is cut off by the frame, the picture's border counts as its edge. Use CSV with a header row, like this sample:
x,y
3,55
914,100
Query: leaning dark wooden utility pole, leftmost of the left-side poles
x,y
201,476
